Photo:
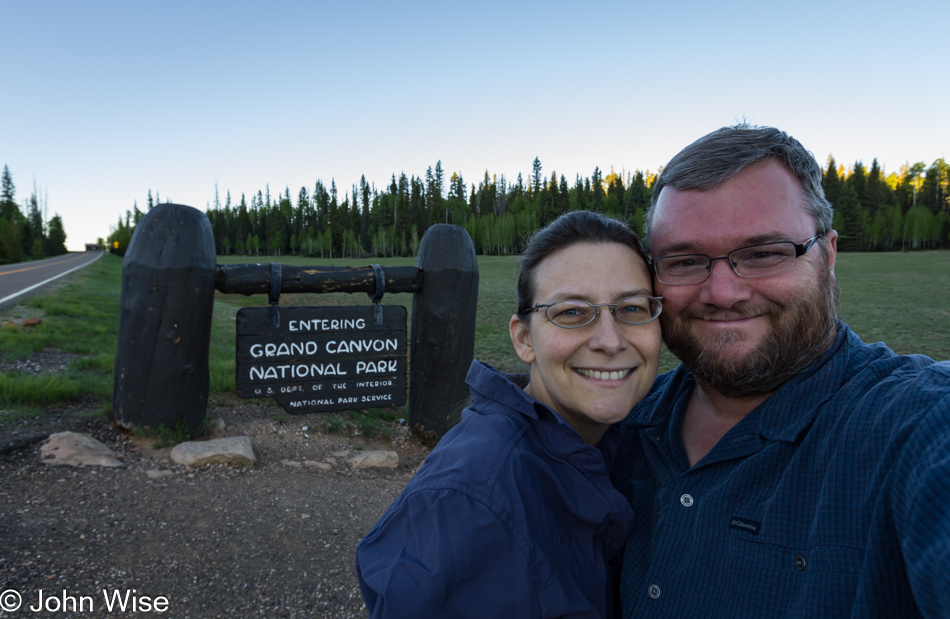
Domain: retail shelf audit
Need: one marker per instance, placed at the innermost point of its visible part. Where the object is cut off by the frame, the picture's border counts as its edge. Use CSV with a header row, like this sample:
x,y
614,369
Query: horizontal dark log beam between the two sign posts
x,y
248,279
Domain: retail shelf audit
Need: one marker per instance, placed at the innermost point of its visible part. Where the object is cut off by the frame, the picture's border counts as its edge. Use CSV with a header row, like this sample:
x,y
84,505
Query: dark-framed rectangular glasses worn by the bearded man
x,y
752,261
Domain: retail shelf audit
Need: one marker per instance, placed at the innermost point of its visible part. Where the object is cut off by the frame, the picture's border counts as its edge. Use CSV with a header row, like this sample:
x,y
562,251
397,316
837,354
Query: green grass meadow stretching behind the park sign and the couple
x,y
902,299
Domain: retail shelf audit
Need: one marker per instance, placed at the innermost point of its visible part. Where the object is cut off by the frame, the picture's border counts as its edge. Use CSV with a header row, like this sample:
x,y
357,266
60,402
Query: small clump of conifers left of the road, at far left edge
x,y
26,234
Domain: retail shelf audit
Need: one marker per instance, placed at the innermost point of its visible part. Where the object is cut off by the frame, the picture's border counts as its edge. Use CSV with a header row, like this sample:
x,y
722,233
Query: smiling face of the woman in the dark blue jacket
x,y
593,375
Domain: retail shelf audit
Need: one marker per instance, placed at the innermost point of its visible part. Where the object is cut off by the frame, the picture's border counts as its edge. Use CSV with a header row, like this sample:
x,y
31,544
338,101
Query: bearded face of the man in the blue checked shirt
x,y
745,336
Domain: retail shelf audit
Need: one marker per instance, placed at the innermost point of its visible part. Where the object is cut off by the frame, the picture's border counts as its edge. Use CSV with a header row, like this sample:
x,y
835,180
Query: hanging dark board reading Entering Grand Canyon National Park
x,y
322,359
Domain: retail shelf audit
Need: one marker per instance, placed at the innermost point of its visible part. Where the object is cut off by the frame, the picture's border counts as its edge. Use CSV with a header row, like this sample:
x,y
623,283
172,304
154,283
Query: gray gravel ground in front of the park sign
x,y
275,539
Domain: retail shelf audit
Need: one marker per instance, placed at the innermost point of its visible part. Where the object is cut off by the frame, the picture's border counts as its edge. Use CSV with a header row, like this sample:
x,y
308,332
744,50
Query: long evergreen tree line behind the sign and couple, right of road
x,y
907,209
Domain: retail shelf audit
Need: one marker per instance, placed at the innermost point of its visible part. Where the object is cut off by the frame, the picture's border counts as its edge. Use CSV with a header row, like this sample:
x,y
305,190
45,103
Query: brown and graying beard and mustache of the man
x,y
802,330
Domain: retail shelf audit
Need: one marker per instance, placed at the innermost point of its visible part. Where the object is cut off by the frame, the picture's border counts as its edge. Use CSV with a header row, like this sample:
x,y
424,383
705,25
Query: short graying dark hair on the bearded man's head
x,y
717,157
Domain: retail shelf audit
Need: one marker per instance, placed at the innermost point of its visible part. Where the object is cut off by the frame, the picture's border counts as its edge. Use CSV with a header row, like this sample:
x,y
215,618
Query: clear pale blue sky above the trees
x,y
102,101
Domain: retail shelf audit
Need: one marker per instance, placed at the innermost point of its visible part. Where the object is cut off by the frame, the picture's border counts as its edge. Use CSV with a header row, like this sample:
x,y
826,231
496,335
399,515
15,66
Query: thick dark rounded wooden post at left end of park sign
x,y
161,360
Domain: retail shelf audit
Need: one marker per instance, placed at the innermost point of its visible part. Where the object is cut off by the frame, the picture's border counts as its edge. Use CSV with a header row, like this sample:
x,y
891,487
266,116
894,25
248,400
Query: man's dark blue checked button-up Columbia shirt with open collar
x,y
831,499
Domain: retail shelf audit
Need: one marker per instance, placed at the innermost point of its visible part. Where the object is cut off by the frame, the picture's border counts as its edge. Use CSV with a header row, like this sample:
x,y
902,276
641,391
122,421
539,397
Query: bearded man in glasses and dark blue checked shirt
x,y
785,469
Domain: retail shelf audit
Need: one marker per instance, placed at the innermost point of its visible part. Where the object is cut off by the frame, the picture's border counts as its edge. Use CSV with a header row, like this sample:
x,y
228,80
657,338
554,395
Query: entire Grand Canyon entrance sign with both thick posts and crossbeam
x,y
297,355
